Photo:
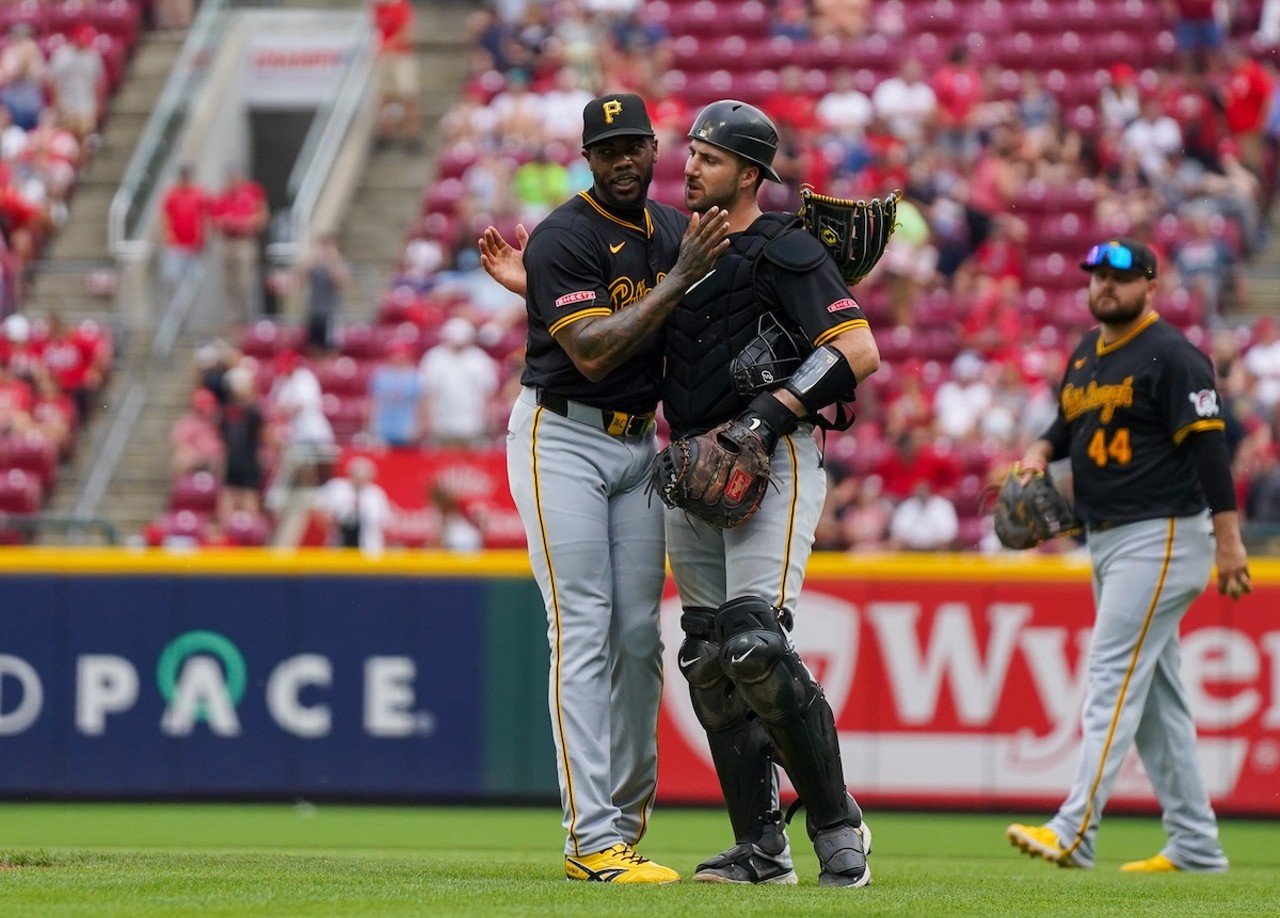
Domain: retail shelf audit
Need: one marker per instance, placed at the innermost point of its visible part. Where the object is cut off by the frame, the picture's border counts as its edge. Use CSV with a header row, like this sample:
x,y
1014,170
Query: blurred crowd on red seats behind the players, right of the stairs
x,y
1020,134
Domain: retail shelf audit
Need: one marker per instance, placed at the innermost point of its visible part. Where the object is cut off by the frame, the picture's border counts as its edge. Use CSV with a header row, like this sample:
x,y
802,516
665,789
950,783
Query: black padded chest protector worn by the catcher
x,y
711,326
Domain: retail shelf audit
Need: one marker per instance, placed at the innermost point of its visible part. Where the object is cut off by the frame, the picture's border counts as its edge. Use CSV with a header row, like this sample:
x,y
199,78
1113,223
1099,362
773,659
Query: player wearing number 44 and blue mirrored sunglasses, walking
x,y
1141,422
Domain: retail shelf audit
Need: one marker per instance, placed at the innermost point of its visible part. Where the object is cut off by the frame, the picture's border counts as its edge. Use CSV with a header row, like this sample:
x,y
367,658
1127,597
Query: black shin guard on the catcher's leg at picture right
x,y
778,687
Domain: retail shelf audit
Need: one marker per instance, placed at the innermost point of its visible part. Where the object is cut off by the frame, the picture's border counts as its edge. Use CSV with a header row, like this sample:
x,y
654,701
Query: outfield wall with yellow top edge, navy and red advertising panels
x,y
956,680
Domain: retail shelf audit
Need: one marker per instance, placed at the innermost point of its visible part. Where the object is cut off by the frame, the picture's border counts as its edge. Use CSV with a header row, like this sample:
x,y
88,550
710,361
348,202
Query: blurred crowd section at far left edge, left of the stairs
x,y
60,62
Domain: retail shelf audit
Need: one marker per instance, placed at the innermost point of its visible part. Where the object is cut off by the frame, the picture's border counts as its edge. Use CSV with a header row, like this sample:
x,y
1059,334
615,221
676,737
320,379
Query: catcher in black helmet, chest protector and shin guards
x,y
752,692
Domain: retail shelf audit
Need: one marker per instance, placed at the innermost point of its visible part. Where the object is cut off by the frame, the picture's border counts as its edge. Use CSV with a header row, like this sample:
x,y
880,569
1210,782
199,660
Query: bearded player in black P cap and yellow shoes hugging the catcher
x,y
605,271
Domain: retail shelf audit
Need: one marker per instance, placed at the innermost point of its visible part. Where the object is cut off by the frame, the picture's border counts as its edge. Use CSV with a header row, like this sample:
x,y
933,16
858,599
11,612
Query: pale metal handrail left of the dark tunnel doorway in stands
x,y
163,129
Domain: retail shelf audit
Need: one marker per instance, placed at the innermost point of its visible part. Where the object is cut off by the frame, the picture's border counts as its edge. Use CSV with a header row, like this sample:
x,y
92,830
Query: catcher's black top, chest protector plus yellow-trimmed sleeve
x,y
792,276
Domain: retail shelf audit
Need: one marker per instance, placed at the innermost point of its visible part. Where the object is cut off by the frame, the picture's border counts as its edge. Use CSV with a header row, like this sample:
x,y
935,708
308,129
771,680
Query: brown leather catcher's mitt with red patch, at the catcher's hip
x,y
719,477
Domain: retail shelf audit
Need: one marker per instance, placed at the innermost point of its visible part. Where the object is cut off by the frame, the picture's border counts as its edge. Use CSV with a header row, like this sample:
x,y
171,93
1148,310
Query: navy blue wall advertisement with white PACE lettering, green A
x,y
240,686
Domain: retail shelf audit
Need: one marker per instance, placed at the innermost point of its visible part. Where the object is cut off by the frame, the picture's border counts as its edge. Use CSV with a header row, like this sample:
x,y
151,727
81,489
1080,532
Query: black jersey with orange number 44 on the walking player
x,y
1126,412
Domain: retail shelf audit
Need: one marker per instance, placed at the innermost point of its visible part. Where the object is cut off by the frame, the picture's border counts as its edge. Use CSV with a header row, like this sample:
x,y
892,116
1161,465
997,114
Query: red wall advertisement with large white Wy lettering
x,y
967,692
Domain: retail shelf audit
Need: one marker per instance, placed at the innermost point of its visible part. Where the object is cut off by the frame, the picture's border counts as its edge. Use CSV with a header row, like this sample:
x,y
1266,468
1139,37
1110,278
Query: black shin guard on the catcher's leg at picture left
x,y
740,746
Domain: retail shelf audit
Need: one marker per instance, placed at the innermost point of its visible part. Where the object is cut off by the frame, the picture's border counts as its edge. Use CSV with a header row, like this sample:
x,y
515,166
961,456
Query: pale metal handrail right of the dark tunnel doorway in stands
x,y
321,148
